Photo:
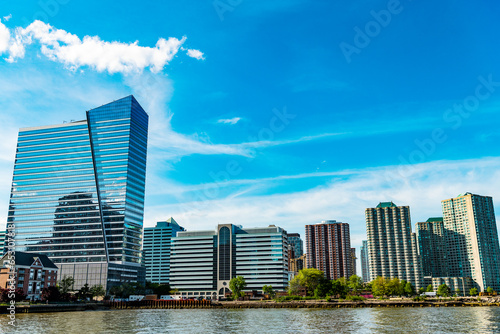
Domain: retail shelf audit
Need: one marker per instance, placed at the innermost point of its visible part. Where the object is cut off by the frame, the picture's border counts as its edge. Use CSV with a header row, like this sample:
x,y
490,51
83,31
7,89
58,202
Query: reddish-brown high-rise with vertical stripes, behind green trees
x,y
328,247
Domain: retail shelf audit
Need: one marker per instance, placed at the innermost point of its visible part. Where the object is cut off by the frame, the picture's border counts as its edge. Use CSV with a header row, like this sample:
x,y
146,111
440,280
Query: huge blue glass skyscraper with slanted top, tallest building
x,y
78,193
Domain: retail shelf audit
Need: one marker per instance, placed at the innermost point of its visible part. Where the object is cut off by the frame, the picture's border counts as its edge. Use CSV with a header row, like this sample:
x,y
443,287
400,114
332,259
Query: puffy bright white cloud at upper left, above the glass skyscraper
x,y
114,57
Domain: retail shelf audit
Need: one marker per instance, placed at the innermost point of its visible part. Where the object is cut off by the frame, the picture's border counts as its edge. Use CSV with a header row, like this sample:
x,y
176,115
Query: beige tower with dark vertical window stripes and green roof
x,y
392,247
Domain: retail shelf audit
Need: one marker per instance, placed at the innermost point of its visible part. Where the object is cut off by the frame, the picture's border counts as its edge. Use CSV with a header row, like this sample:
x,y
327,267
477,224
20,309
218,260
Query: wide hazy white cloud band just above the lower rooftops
x,y
343,197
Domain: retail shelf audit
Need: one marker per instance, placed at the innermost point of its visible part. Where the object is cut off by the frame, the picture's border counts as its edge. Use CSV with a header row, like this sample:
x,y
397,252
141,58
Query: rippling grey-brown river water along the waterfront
x,y
359,320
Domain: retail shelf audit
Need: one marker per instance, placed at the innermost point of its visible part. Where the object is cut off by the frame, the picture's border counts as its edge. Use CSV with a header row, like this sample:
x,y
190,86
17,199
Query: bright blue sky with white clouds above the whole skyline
x,y
271,112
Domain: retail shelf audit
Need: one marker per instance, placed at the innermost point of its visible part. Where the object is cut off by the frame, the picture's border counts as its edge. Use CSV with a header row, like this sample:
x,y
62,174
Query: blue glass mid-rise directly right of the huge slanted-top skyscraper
x,y
156,250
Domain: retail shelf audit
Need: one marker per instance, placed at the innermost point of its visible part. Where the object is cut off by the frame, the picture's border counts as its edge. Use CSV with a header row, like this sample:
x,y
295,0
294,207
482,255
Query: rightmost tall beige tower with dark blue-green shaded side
x,y
472,239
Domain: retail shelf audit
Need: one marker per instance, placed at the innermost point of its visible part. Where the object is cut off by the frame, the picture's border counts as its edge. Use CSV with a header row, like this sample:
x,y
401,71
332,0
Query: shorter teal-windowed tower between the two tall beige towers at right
x,y
432,247
